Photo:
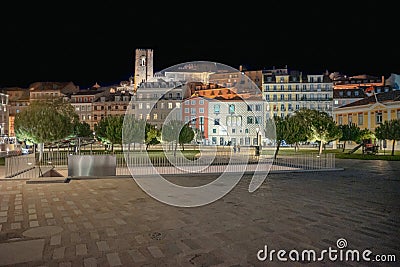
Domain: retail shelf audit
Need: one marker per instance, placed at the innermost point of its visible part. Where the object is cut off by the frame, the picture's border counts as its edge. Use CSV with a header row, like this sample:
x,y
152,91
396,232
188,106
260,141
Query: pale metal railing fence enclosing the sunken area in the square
x,y
138,164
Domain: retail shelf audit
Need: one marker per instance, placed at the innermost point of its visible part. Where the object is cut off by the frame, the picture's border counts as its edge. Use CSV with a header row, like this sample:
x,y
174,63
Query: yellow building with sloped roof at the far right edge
x,y
371,111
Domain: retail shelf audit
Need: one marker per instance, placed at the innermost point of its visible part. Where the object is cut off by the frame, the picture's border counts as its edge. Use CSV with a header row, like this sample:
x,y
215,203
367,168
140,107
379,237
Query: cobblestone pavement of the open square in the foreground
x,y
112,222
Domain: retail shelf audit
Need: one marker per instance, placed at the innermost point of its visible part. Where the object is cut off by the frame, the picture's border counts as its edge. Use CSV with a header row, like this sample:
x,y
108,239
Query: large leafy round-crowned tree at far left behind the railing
x,y
45,121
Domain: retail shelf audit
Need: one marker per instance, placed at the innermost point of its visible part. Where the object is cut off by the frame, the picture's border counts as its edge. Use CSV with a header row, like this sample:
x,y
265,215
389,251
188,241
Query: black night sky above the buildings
x,y
89,44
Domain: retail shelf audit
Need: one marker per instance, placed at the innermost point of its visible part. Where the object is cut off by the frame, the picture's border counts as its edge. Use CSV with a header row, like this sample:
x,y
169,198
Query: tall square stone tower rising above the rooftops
x,y
143,66
